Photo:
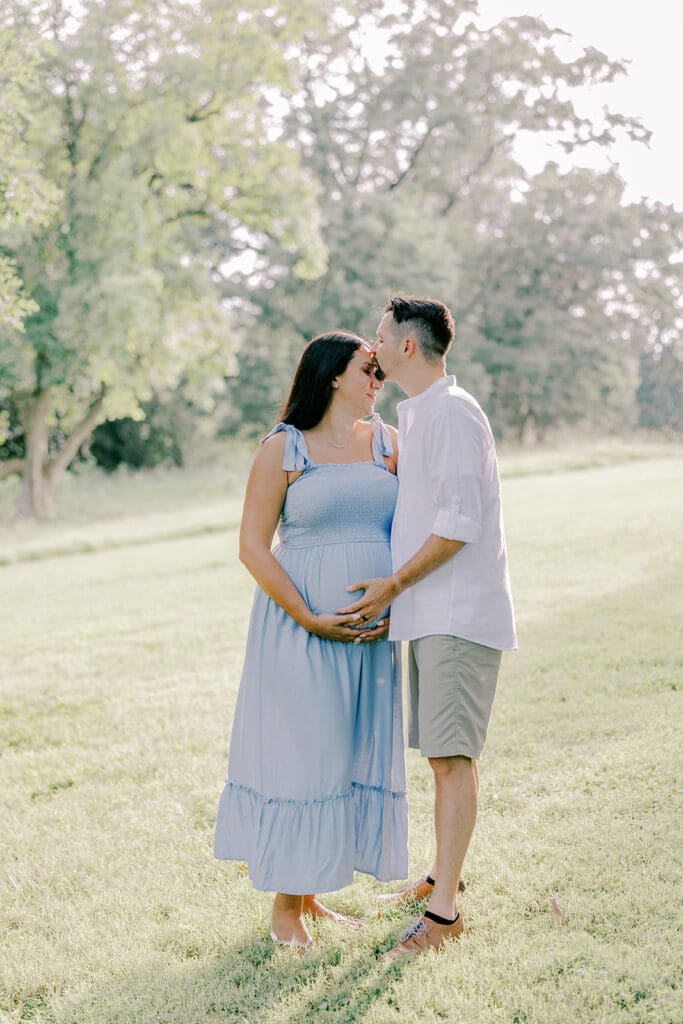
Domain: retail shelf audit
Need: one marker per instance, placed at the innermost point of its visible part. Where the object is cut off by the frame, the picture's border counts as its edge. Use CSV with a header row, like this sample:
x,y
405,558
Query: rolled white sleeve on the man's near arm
x,y
456,472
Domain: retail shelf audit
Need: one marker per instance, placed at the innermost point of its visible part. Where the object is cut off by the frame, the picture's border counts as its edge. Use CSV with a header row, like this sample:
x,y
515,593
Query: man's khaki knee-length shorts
x,y
453,685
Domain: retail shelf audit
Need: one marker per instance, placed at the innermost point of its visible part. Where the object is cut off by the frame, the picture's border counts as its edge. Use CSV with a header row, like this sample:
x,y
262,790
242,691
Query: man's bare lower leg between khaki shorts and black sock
x,y
455,818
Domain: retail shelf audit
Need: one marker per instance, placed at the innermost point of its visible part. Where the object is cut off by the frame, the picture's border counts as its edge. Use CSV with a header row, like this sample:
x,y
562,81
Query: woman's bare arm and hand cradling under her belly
x,y
265,498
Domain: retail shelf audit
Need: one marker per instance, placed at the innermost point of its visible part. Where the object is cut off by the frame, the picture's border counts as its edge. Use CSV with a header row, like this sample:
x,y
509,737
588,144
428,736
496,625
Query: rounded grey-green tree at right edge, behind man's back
x,y
573,298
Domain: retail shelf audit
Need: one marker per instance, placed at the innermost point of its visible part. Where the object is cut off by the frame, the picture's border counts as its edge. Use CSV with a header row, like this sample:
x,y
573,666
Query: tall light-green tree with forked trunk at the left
x,y
155,130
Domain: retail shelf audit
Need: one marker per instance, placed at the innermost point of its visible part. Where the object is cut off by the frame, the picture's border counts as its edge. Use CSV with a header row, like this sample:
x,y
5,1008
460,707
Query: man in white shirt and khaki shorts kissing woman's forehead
x,y
450,593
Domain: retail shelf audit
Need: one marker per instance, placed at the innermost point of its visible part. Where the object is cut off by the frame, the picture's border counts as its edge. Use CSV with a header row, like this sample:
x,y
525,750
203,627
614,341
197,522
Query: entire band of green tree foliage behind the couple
x,y
174,177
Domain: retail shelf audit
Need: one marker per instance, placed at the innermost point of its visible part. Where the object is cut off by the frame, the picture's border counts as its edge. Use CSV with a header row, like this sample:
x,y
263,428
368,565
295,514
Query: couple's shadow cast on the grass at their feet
x,y
338,980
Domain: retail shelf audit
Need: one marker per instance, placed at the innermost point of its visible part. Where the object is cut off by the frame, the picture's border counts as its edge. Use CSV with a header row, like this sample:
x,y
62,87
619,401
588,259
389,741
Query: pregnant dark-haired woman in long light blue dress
x,y
317,781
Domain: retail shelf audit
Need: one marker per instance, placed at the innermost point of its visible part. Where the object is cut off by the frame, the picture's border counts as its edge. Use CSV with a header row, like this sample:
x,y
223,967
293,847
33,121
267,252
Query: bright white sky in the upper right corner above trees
x,y
651,35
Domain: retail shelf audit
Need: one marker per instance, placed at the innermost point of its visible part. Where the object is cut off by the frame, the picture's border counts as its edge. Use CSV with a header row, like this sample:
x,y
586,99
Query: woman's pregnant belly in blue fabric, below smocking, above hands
x,y
322,575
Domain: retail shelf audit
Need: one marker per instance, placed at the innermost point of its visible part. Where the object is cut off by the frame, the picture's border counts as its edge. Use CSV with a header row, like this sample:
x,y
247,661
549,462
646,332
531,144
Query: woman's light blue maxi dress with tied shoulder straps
x,y
317,778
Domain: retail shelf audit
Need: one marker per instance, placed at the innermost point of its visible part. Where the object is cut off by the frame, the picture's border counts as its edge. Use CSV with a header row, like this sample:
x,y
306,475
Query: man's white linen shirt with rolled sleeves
x,y
450,486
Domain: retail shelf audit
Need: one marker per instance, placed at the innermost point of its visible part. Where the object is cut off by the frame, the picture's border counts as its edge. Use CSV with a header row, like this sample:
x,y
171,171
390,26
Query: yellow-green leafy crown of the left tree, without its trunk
x,y
153,130
